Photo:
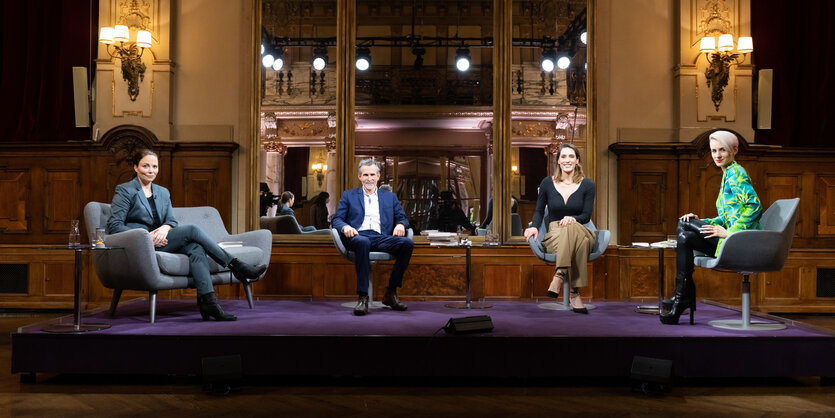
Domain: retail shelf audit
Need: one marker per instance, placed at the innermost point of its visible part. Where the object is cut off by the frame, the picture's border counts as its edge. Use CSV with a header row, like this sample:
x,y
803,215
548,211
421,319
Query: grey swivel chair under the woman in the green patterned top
x,y
755,251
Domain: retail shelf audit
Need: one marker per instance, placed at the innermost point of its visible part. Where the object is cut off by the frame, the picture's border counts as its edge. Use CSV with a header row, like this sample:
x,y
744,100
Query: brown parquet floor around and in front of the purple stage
x,y
129,396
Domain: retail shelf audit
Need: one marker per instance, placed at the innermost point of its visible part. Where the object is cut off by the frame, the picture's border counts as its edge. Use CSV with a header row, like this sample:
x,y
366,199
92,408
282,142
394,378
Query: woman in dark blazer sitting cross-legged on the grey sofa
x,y
141,204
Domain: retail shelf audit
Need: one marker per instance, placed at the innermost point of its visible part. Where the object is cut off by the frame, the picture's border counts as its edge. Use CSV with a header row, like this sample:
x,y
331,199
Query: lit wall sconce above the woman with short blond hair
x,y
720,60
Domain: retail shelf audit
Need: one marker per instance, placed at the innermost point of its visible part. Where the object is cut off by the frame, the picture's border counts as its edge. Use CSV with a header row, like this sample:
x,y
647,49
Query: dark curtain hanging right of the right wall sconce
x,y
796,40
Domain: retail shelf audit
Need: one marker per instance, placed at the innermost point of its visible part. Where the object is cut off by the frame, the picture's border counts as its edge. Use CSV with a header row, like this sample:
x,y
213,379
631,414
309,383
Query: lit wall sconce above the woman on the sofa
x,y
130,53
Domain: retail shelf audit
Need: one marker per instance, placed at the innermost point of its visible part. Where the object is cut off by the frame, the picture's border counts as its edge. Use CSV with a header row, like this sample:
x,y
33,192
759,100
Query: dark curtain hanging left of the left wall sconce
x,y
41,41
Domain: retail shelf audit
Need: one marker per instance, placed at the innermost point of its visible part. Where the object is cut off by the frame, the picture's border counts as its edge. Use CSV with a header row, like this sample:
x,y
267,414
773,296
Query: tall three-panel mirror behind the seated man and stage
x,y
426,121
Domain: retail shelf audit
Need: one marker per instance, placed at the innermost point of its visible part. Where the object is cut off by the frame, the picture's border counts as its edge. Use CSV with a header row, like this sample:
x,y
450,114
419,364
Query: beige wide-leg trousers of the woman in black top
x,y
572,245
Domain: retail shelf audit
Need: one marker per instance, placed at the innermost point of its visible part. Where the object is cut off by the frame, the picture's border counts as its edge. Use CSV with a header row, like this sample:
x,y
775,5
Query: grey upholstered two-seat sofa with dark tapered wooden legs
x,y
135,265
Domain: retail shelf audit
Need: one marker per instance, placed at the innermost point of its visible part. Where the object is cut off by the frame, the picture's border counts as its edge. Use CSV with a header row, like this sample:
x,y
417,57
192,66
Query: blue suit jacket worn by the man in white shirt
x,y
351,211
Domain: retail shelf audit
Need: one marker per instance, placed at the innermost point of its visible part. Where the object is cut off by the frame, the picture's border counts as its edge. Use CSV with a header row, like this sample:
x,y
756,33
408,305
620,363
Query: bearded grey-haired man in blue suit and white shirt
x,y
371,219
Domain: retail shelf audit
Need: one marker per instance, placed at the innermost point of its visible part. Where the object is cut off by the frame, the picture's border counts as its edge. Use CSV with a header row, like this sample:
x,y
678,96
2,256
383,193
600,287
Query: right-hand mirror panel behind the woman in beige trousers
x,y
548,95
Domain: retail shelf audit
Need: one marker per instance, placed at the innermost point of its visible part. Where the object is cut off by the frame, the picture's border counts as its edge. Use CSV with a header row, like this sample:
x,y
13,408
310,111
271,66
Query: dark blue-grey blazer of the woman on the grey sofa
x,y
130,208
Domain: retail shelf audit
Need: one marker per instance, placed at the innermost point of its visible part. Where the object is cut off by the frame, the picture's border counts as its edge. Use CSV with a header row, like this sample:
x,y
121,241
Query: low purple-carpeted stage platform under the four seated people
x,y
323,338
